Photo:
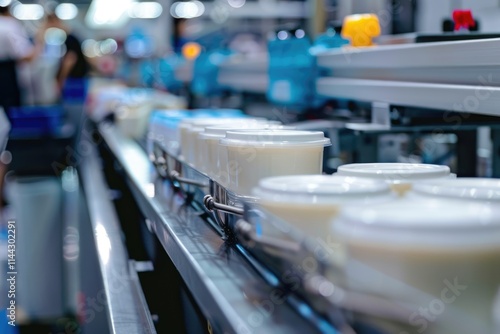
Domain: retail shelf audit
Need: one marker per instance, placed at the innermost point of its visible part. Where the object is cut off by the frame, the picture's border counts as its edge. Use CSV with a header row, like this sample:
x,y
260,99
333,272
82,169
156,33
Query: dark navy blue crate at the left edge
x,y
36,120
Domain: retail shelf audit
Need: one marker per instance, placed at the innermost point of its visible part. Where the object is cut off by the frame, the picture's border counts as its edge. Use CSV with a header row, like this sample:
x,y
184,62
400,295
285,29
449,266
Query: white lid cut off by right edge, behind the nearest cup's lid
x,y
479,189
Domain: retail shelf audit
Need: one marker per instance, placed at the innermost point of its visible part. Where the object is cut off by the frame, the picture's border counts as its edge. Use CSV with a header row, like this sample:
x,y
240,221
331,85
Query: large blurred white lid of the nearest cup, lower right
x,y
420,223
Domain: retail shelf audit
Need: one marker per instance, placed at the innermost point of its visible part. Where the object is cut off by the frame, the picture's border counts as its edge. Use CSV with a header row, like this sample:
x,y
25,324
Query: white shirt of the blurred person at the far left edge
x,y
14,41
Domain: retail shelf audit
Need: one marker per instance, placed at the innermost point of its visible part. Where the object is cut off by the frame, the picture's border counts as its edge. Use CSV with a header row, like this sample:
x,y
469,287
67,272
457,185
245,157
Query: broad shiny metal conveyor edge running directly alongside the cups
x,y
228,290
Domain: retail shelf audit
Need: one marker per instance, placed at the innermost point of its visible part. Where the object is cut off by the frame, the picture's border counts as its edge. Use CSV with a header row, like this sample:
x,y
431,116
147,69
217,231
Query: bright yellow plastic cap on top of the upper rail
x,y
360,29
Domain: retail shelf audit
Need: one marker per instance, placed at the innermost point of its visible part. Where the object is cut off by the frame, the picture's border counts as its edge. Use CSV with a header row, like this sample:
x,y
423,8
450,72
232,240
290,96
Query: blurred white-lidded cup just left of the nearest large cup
x,y
310,203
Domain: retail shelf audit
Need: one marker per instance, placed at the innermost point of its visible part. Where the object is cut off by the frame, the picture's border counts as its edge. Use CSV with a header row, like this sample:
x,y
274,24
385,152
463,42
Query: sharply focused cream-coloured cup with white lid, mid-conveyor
x,y
254,155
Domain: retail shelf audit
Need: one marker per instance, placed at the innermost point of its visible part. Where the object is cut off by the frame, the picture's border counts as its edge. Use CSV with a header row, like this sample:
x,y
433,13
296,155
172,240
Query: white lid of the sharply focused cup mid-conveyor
x,y
275,138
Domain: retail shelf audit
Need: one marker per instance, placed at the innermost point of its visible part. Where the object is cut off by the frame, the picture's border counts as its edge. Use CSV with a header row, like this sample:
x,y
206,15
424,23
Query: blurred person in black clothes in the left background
x,y
74,65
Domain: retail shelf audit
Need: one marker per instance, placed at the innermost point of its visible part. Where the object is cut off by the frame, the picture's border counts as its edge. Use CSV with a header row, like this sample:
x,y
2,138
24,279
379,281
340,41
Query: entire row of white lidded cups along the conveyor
x,y
411,233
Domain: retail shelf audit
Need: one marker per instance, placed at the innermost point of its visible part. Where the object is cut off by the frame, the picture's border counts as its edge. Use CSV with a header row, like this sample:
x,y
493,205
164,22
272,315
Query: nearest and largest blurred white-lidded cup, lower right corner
x,y
442,257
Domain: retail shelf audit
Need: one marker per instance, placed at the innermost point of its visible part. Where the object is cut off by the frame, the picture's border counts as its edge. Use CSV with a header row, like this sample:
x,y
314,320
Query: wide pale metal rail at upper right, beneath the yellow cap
x,y
460,76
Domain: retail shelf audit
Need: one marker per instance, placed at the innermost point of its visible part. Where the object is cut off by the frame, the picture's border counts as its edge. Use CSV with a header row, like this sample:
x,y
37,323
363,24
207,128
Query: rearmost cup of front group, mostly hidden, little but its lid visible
x,y
400,176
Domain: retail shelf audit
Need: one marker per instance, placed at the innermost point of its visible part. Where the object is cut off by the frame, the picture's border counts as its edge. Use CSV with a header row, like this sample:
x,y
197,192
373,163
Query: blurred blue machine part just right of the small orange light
x,y
206,69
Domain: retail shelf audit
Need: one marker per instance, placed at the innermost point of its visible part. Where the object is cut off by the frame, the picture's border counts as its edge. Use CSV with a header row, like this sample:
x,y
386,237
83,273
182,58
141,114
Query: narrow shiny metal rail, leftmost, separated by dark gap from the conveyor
x,y
126,310
